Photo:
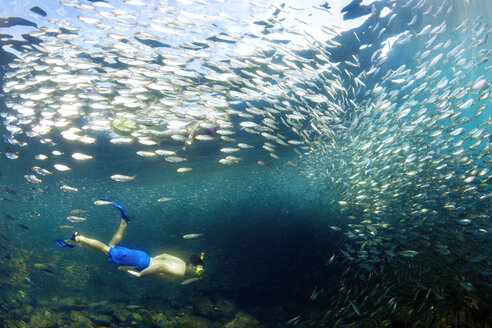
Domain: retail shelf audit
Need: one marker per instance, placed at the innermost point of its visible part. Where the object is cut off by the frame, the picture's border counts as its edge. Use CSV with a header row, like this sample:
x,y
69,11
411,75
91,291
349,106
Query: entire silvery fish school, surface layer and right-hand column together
x,y
393,117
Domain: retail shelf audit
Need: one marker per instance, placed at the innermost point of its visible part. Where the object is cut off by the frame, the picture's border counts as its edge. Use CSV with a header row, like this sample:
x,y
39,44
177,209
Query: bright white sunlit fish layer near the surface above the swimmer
x,y
149,84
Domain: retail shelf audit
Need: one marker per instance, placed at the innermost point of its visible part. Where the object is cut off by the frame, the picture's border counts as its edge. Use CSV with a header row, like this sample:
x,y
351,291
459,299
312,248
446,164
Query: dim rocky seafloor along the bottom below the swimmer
x,y
71,313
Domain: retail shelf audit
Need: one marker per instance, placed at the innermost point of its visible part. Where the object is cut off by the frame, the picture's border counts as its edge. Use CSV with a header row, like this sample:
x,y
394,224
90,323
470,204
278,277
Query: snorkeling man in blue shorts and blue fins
x,y
138,263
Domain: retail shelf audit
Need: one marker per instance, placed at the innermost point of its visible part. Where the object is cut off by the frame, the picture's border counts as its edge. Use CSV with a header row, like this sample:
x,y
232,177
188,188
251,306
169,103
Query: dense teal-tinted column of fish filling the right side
x,y
411,176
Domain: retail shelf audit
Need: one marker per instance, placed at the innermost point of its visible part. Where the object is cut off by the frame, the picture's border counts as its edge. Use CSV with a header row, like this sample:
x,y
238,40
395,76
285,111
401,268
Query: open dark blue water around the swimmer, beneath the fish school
x,y
266,233
